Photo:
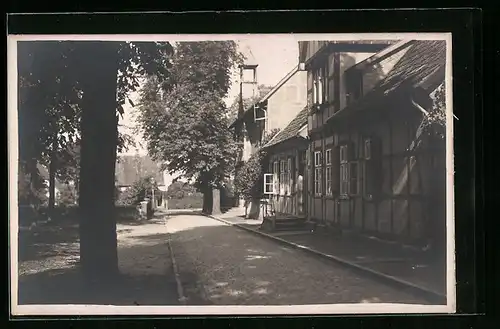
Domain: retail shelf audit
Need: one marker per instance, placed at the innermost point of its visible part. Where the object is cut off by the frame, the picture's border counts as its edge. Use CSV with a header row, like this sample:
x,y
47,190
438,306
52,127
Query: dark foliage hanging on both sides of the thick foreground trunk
x,y
49,105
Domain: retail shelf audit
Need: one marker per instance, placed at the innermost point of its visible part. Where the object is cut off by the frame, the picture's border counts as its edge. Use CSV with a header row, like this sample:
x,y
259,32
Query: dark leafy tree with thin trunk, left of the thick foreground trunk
x,y
47,106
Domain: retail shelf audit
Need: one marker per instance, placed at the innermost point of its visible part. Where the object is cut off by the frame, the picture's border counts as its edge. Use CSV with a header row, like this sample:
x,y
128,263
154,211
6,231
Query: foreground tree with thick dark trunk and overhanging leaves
x,y
98,77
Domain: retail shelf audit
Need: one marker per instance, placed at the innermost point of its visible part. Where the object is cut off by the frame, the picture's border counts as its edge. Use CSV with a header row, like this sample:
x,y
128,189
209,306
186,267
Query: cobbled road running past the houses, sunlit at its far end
x,y
223,265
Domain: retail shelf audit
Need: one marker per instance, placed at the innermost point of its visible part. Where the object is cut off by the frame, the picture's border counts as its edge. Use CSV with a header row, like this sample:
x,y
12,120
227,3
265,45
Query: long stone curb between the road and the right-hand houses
x,y
424,292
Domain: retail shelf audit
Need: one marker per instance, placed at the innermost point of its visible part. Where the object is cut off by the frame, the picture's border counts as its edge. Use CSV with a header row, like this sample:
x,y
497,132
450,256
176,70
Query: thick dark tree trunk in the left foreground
x,y
99,124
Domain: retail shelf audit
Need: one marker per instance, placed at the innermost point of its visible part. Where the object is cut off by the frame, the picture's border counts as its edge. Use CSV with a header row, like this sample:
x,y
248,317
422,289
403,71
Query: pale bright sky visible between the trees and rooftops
x,y
276,55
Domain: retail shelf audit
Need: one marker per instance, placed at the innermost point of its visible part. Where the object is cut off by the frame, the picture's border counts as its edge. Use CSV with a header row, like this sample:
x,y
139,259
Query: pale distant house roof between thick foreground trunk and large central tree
x,y
130,168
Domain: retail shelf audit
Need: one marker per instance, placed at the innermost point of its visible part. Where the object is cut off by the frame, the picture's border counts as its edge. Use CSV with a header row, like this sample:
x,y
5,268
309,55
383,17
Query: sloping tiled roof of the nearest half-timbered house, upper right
x,y
424,61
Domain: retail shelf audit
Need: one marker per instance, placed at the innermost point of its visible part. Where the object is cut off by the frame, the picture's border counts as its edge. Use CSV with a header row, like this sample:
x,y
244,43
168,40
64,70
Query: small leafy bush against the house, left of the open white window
x,y
249,180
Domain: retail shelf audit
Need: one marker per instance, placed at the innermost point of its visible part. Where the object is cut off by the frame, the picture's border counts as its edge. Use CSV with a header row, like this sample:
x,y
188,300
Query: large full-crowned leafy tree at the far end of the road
x,y
186,127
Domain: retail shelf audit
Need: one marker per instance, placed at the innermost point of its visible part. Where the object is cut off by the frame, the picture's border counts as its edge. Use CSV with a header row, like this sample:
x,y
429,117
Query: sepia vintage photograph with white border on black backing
x,y
231,174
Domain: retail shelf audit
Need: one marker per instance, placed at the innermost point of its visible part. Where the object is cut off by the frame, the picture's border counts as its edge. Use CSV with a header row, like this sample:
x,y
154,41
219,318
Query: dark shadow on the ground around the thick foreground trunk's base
x,y
66,286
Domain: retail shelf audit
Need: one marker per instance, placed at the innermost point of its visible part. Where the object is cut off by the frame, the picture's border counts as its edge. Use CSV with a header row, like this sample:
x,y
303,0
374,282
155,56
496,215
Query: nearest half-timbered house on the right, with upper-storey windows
x,y
370,167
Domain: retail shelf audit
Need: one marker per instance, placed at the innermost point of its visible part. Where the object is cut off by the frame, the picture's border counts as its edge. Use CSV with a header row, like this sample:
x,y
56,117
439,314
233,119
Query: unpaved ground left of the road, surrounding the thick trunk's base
x,y
48,267
